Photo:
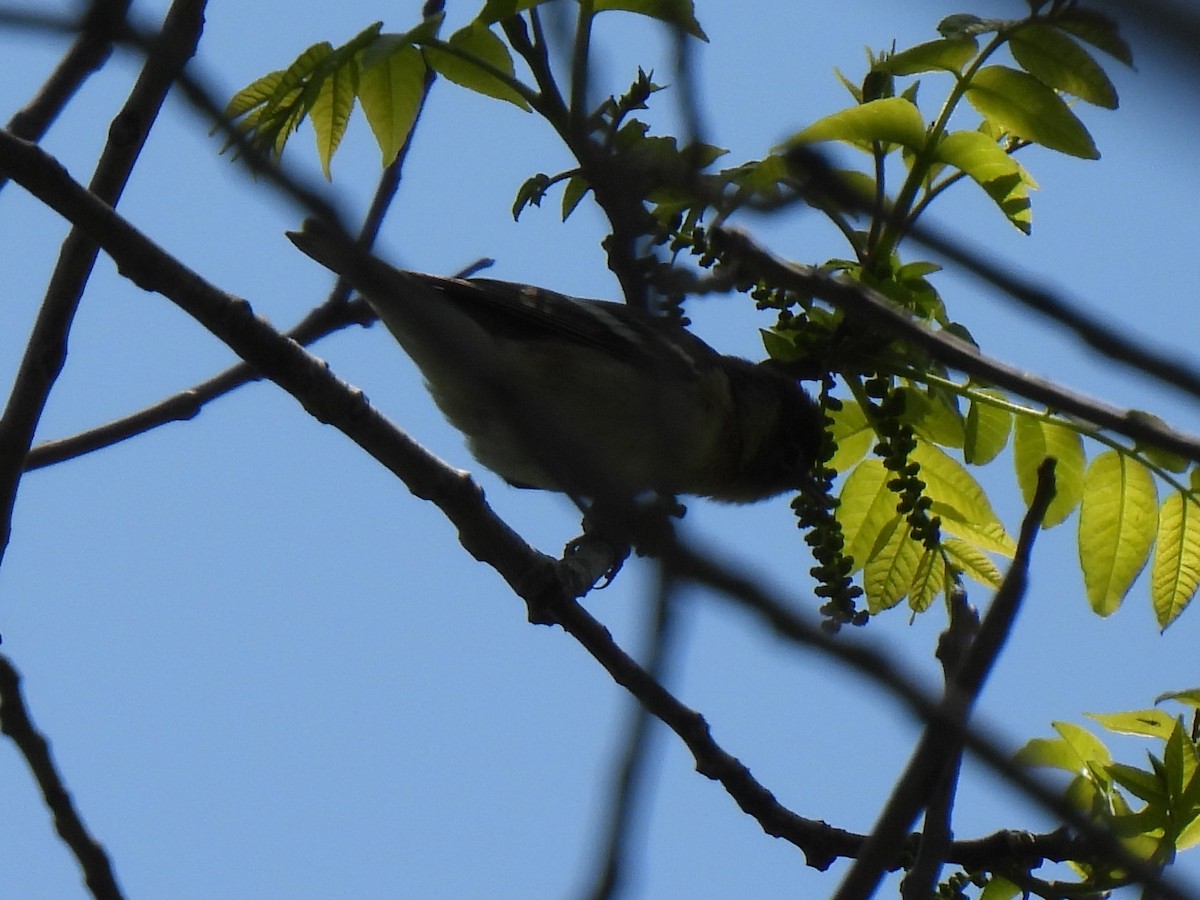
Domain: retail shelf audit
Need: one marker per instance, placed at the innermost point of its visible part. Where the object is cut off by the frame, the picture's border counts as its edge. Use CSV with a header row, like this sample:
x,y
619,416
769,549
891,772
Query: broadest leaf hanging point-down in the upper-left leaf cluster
x,y
392,91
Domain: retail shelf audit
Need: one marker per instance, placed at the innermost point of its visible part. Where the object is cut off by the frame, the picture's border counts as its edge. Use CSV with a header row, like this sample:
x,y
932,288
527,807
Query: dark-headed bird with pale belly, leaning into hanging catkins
x,y
587,398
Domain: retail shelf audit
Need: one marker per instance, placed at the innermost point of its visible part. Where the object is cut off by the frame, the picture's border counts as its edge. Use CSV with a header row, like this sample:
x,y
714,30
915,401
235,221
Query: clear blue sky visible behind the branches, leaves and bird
x,y
267,670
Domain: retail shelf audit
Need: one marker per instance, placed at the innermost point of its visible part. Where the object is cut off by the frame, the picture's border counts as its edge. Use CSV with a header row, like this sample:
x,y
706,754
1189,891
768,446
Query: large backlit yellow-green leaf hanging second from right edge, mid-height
x,y
1117,527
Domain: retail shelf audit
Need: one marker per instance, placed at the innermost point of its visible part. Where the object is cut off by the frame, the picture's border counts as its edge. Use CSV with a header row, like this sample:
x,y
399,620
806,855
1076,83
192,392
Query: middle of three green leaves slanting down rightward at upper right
x,y
1024,106
